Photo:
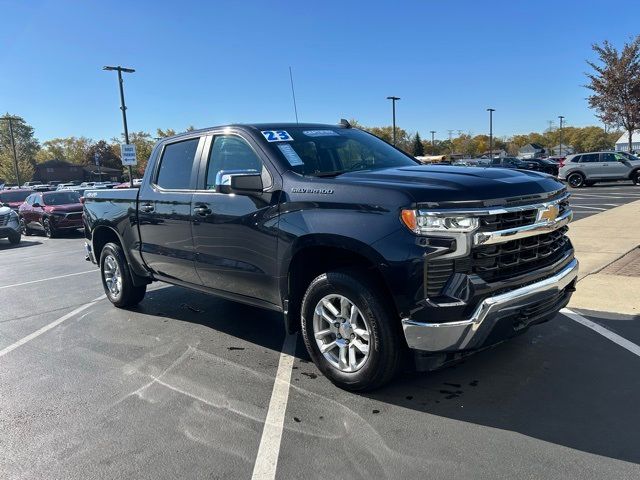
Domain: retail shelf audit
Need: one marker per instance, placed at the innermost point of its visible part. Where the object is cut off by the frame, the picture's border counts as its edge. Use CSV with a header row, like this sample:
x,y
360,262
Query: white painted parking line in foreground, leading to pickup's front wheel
x,y
269,449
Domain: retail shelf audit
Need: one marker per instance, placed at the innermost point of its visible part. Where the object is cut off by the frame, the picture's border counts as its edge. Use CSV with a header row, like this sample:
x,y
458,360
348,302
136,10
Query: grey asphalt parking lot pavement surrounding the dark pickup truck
x,y
182,386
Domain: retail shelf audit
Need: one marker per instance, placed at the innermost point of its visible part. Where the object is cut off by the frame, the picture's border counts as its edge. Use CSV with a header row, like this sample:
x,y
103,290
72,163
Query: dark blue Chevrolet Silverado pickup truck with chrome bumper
x,y
370,254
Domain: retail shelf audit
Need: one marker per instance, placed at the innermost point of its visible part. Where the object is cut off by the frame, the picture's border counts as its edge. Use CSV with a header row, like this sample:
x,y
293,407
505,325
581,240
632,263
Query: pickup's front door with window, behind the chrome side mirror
x,y
235,235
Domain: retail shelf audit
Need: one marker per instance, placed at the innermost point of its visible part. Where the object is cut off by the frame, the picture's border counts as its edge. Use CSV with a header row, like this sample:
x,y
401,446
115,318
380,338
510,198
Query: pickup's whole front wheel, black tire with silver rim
x,y
365,371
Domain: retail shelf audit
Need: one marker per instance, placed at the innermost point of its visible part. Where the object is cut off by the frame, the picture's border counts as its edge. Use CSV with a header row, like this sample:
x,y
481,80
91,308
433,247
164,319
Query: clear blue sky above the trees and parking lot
x,y
208,63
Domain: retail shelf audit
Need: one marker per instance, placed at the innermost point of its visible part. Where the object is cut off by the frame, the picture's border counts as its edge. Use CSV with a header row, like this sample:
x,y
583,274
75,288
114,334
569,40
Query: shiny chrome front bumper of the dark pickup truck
x,y
472,333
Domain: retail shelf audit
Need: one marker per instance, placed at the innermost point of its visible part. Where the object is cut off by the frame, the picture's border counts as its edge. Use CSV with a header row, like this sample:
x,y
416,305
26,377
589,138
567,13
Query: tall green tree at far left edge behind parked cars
x,y
26,148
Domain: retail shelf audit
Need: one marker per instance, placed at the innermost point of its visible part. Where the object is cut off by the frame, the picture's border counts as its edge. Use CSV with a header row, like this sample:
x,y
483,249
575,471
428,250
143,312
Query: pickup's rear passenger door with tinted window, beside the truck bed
x,y
164,211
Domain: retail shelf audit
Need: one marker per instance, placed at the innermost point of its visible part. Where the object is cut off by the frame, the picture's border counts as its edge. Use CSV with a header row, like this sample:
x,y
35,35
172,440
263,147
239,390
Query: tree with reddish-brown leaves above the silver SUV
x,y
615,84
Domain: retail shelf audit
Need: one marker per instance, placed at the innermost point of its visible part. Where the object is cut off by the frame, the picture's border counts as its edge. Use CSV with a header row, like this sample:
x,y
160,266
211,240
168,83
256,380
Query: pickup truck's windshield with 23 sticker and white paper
x,y
327,152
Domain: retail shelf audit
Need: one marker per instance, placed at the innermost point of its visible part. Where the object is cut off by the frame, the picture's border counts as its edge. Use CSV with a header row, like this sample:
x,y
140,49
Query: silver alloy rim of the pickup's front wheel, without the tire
x,y
341,333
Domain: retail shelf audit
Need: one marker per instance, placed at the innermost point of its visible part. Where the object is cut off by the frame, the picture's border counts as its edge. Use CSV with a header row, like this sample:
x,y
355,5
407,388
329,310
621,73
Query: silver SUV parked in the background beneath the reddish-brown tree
x,y
588,168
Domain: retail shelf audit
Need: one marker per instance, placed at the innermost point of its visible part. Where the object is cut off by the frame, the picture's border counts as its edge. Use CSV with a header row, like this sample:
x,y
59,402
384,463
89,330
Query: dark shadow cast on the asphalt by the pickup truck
x,y
559,382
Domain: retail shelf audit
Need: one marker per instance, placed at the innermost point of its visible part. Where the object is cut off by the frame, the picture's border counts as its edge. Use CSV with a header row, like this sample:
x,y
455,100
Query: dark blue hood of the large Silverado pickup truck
x,y
459,186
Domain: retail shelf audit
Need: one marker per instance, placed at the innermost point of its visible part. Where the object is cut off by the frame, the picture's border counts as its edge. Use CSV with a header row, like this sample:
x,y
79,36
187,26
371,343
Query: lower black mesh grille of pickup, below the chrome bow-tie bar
x,y
510,259
